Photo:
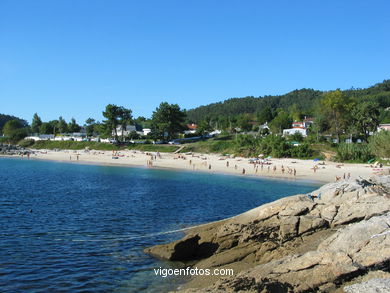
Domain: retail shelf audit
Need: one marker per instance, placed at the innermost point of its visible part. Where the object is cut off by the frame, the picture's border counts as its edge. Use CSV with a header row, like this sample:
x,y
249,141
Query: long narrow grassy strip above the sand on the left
x,y
80,145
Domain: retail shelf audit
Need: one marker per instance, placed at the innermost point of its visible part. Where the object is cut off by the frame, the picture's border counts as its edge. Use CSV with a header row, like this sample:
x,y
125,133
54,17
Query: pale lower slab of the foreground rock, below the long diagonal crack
x,y
350,252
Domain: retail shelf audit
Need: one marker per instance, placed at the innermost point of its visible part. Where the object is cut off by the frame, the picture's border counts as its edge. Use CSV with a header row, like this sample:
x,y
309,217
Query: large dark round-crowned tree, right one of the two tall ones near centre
x,y
168,120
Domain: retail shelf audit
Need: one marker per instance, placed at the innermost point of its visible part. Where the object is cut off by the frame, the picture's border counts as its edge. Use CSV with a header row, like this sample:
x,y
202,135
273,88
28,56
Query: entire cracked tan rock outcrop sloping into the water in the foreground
x,y
336,239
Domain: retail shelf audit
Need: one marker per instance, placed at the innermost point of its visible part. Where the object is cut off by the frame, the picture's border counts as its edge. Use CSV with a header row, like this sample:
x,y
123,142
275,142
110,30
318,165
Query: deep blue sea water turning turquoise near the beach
x,y
89,224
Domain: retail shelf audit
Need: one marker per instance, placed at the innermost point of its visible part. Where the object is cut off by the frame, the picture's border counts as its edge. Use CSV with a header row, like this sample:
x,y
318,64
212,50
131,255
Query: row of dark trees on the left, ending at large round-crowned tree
x,y
166,122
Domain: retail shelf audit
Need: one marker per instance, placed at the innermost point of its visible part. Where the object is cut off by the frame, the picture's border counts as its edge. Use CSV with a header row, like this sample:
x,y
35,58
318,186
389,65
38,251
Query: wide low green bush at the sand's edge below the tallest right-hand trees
x,y
354,152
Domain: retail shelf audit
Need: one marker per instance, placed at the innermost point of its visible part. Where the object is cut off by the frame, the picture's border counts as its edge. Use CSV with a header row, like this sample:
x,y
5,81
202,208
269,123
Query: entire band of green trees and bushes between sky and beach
x,y
345,124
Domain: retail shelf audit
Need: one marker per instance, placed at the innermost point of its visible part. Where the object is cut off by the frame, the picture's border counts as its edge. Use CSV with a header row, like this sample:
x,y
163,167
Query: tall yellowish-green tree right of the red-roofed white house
x,y
335,106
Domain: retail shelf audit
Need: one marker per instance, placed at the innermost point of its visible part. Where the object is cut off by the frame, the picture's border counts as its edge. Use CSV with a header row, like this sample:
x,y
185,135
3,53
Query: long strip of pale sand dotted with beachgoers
x,y
322,171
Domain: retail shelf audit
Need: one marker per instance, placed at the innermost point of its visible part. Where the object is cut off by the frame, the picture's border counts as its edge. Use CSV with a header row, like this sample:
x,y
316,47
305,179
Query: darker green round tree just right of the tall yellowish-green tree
x,y
365,118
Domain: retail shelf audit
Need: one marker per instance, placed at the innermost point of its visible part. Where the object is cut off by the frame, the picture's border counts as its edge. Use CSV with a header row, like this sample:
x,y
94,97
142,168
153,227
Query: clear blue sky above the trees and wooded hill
x,y
72,57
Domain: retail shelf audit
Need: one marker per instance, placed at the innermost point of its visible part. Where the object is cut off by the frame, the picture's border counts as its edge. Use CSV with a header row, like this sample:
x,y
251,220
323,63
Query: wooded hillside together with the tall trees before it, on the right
x,y
355,112
